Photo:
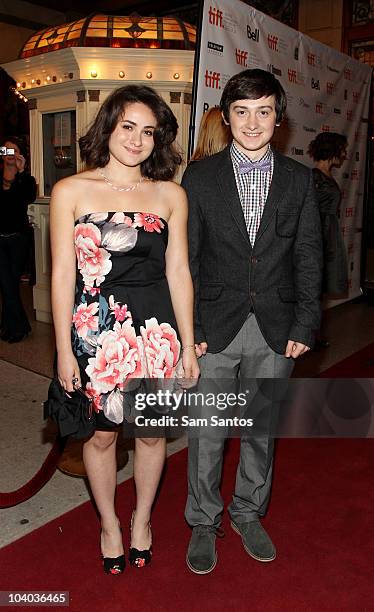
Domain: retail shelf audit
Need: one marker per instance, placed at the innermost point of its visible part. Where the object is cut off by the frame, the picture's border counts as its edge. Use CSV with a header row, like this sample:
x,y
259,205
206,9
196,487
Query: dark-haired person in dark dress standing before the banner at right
x,y
328,150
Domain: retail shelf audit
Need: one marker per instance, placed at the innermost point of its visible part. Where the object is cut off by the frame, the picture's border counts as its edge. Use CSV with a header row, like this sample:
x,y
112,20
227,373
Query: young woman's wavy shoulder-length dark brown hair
x,y
164,159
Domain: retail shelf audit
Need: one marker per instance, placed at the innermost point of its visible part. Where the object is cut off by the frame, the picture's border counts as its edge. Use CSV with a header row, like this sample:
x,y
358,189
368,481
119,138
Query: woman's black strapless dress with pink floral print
x,y
123,325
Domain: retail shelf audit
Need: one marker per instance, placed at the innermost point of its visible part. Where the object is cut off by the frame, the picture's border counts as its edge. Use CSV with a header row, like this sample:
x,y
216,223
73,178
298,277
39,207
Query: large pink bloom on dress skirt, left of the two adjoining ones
x,y
117,358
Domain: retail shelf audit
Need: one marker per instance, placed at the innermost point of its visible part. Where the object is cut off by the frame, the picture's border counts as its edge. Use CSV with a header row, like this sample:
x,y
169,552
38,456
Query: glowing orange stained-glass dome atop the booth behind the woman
x,y
113,31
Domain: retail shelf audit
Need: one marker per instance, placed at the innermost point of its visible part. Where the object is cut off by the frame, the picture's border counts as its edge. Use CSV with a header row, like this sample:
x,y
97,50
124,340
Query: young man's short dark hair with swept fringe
x,y
252,85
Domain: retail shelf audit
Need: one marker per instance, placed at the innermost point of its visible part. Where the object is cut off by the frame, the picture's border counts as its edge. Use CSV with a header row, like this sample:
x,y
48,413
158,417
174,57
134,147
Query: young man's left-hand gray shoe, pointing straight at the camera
x,y
201,554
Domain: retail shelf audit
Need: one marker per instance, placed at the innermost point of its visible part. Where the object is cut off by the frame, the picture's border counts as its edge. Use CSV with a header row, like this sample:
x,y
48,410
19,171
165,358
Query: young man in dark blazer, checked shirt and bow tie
x,y
255,258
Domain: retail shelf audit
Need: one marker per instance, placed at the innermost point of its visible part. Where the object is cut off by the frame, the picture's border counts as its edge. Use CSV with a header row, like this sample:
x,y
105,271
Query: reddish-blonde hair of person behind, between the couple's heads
x,y
214,135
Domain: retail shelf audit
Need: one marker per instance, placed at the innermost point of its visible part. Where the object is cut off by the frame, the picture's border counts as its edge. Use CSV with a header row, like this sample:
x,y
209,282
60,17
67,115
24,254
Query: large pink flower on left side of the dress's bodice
x,y
93,262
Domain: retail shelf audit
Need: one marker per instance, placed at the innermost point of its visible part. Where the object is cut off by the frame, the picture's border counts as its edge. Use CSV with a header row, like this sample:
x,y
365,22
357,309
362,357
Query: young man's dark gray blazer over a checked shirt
x,y
280,277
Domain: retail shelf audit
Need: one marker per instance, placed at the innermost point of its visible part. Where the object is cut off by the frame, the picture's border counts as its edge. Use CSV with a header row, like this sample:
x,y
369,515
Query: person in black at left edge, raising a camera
x,y
17,191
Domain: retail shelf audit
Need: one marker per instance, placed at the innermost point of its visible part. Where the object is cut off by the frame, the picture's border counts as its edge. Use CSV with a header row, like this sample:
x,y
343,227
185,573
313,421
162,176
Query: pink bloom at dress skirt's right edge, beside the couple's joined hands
x,y
161,348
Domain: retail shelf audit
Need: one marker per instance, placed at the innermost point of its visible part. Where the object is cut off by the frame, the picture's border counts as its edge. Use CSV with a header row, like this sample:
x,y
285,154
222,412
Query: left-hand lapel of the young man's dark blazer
x,y
227,184
